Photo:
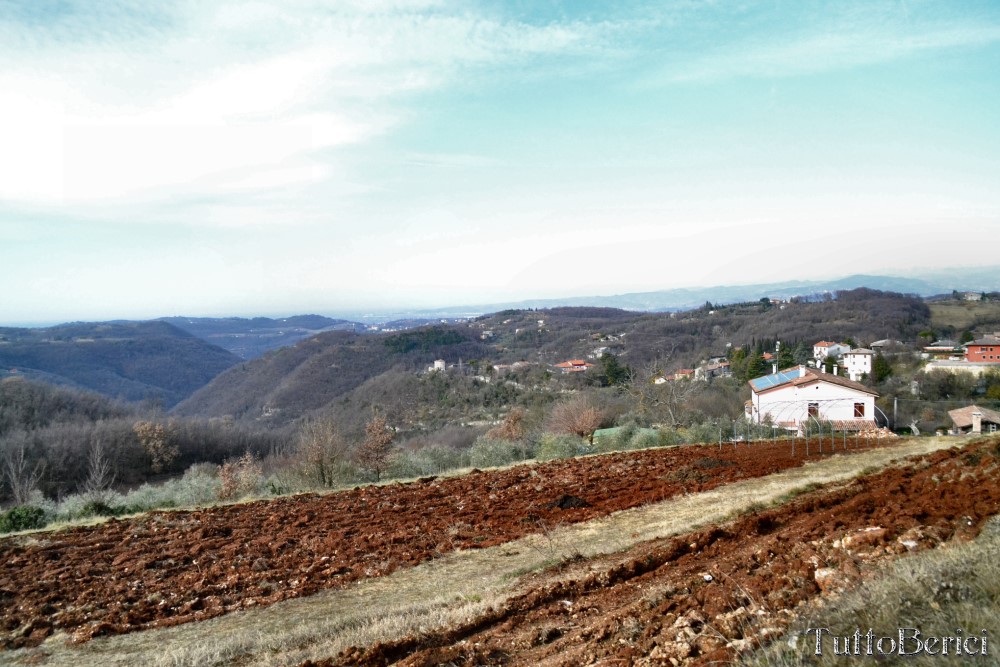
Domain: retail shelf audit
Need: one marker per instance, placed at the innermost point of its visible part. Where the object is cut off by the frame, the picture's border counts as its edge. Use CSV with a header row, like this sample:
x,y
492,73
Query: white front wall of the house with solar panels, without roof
x,y
792,403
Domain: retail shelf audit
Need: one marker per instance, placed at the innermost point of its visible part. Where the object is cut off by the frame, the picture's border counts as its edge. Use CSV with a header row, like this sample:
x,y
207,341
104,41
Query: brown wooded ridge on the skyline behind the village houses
x,y
677,340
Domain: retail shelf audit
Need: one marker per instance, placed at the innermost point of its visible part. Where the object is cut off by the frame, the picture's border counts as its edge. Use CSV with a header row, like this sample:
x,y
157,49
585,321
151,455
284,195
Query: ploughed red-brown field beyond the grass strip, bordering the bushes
x,y
166,568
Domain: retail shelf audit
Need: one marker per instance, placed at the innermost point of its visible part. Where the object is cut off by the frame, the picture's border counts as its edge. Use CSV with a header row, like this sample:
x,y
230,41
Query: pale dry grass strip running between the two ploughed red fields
x,y
445,591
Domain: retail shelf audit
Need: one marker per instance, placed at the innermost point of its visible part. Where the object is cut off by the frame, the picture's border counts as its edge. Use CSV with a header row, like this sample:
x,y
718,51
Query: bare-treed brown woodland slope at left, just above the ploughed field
x,y
52,437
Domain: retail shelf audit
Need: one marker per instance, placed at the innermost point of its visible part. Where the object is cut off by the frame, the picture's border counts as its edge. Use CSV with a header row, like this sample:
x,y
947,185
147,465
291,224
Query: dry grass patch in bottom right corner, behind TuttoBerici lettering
x,y
954,586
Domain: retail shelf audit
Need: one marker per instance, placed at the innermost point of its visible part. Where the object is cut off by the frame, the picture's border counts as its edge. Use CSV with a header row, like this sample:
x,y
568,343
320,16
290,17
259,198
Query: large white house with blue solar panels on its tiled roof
x,y
794,397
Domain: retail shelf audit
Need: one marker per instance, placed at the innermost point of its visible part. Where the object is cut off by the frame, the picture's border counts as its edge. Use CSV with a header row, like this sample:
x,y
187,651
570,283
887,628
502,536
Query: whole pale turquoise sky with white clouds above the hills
x,y
250,158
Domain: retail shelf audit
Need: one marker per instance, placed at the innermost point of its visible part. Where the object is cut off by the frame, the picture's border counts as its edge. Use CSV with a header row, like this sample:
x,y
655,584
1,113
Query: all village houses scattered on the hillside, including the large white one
x,y
841,374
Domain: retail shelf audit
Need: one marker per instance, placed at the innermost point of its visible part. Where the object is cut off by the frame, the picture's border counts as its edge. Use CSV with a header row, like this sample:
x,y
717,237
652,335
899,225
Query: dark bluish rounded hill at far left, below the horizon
x,y
134,361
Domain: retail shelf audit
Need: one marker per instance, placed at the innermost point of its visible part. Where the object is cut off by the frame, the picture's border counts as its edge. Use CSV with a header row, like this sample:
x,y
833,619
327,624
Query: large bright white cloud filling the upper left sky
x,y
226,97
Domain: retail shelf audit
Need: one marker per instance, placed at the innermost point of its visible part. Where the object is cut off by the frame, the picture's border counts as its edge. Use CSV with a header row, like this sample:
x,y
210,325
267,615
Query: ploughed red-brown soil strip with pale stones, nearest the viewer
x,y
702,598
